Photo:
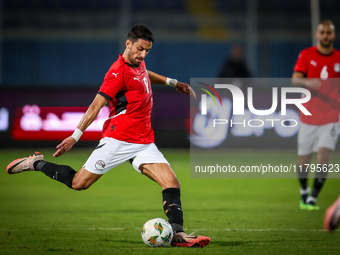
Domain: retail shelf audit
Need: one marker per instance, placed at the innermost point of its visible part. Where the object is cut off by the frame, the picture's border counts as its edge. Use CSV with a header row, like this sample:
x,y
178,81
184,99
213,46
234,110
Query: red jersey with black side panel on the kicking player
x,y
129,90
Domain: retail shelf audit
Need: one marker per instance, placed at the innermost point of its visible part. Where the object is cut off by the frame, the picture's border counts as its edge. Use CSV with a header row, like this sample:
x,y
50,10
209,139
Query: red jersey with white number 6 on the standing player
x,y
324,102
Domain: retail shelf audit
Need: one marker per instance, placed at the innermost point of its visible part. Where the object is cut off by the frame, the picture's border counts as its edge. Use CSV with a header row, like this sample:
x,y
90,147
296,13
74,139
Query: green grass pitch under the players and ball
x,y
242,216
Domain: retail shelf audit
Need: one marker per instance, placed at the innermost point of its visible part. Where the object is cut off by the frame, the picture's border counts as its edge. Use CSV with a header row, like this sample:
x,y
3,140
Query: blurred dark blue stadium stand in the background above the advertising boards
x,y
78,38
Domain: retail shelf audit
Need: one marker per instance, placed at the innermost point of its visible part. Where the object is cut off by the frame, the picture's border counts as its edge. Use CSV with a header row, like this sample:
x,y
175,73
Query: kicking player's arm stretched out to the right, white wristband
x,y
180,86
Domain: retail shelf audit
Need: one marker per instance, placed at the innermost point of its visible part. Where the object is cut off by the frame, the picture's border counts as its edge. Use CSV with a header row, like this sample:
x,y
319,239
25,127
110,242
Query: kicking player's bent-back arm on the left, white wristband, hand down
x,y
89,116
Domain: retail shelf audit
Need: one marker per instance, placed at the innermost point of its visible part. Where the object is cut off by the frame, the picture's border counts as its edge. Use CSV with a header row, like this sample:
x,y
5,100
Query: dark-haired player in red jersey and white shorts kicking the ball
x,y
127,134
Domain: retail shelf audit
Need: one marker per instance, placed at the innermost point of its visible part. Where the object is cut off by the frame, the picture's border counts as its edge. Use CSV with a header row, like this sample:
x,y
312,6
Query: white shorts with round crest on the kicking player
x,y
111,153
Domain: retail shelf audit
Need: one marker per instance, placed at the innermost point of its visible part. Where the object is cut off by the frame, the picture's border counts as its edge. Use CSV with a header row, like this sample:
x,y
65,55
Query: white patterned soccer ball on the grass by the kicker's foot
x,y
157,232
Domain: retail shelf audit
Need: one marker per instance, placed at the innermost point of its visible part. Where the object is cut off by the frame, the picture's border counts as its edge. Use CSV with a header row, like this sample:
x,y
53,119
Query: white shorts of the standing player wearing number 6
x,y
313,137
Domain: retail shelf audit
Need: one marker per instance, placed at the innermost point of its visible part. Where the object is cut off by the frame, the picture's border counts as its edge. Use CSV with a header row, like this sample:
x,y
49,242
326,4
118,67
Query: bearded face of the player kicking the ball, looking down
x,y
138,50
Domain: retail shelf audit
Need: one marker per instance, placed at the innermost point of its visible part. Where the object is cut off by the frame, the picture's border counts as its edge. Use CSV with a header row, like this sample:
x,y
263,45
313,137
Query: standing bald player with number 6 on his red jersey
x,y
316,69
